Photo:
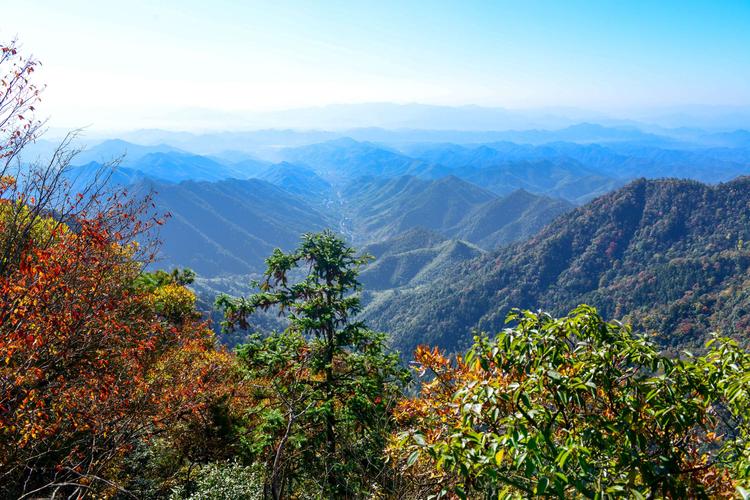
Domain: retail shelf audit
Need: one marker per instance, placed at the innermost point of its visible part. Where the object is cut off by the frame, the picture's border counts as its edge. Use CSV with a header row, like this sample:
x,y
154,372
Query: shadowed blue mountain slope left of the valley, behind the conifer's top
x,y
231,226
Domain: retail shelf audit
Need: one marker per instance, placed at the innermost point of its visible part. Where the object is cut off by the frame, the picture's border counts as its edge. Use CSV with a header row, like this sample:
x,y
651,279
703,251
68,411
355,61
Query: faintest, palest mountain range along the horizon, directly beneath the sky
x,y
395,116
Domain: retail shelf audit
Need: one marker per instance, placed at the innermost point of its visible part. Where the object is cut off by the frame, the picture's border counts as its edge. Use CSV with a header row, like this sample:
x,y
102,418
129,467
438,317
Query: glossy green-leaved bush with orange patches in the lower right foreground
x,y
577,407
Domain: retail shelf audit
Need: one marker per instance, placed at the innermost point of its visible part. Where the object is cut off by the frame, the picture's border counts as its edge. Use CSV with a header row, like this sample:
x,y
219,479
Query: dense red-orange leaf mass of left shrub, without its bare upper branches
x,y
88,366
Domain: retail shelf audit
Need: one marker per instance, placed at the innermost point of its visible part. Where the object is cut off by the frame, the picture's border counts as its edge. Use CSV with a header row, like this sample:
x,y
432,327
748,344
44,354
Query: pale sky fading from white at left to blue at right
x,y
129,64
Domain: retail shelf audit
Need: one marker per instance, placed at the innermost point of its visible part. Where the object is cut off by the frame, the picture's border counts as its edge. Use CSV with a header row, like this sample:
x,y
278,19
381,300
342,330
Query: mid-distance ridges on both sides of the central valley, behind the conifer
x,y
229,227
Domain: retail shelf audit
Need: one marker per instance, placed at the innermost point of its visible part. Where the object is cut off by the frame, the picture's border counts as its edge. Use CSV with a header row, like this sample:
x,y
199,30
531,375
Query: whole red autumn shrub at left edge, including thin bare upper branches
x,y
91,364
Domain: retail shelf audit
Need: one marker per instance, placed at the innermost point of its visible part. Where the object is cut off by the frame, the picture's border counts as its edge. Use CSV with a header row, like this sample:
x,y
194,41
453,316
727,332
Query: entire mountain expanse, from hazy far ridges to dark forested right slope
x,y
462,232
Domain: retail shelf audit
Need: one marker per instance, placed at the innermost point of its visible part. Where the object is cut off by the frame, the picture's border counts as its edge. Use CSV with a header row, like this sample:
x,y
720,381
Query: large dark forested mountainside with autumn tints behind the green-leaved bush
x,y
670,256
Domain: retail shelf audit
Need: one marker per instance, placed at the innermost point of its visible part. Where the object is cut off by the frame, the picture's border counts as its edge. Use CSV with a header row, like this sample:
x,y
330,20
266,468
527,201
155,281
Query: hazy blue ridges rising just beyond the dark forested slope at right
x,y
577,172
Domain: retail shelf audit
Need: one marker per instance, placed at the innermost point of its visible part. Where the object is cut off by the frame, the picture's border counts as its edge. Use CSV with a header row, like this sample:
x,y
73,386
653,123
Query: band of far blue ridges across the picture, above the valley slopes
x,y
575,172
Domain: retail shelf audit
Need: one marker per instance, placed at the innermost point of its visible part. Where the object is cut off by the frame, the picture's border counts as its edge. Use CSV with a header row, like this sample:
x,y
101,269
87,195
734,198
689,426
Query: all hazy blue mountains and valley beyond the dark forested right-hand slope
x,y
482,195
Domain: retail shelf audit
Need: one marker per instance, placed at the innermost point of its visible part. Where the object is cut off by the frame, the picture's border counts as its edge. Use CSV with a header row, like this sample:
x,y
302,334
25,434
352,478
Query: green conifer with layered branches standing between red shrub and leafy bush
x,y
328,374
